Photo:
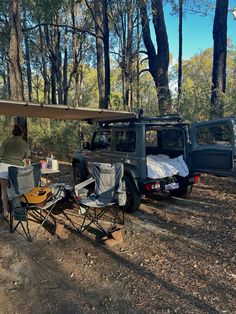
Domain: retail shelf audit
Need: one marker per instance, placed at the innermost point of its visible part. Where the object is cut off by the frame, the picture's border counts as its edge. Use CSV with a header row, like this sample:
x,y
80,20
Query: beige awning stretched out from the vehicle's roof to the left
x,y
36,110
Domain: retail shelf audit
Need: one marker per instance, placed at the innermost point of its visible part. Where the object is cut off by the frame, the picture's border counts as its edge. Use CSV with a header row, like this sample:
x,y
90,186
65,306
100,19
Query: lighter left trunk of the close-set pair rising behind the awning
x,y
99,47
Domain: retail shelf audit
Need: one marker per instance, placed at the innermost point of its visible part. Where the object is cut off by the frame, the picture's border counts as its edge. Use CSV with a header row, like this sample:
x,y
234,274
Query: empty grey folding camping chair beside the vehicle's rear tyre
x,y
108,199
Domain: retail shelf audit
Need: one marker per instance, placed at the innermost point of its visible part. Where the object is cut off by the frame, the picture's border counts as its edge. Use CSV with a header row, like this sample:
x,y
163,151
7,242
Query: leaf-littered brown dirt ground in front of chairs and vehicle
x,y
178,256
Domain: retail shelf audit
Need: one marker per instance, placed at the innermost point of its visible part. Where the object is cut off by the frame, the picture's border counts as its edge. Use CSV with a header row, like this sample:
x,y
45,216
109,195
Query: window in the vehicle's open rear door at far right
x,y
220,134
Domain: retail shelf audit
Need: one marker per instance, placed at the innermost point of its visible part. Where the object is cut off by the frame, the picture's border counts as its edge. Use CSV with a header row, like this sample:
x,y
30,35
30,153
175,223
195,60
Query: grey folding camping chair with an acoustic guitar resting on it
x,y
27,197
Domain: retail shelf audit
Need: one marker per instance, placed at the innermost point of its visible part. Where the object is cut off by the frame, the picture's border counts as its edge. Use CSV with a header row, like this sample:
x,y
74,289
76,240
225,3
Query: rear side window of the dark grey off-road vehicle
x,y
125,141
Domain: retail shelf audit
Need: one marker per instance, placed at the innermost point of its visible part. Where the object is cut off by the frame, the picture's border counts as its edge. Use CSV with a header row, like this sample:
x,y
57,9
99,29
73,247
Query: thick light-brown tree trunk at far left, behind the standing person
x,y
15,59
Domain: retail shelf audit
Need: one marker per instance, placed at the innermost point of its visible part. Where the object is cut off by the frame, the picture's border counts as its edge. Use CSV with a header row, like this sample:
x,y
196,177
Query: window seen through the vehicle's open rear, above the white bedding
x,y
172,139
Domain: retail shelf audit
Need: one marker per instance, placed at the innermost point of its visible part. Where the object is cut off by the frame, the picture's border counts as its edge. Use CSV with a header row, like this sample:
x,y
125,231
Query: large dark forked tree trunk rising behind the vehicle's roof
x,y
158,62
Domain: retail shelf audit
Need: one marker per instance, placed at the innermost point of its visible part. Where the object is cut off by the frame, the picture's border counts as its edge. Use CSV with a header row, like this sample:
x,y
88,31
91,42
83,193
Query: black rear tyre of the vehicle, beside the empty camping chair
x,y
133,196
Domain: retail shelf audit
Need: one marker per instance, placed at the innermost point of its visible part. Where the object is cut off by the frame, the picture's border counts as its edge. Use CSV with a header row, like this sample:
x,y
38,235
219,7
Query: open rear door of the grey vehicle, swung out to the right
x,y
213,147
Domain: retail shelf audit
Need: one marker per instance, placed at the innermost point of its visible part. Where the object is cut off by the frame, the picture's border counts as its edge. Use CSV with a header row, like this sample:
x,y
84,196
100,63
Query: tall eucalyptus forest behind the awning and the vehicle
x,y
111,54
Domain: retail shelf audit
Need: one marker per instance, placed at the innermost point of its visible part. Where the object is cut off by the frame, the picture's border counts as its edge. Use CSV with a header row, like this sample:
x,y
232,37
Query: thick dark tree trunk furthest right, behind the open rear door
x,y
219,59
